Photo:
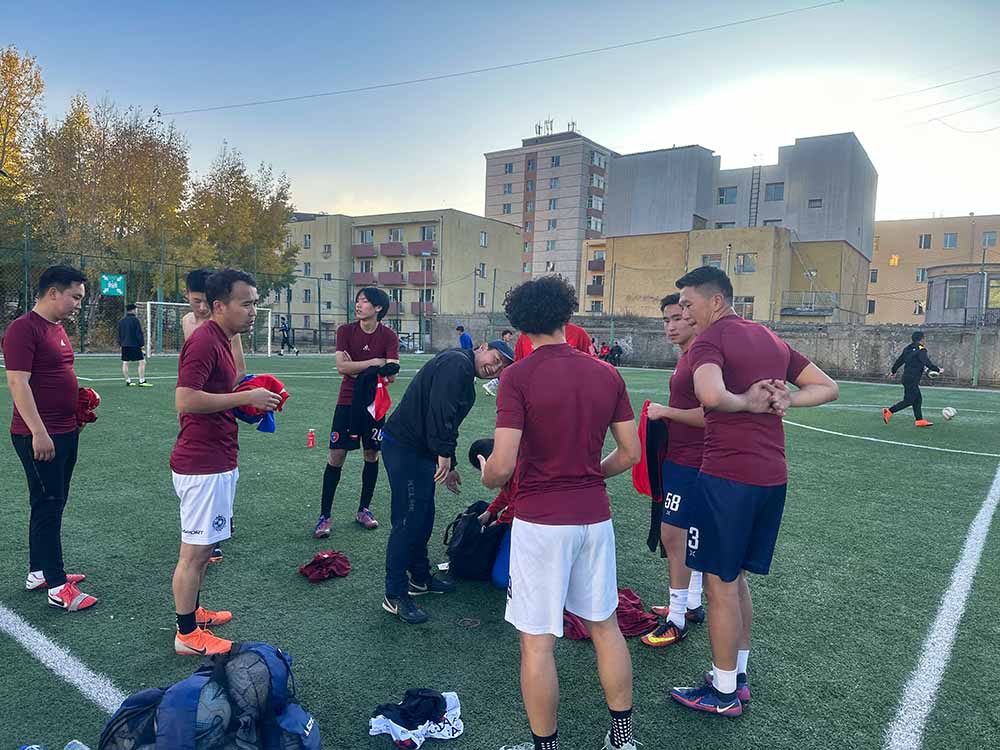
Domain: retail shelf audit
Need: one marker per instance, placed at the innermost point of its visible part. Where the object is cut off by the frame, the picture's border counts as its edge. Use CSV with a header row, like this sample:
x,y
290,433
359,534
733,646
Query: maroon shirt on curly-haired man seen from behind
x,y
563,401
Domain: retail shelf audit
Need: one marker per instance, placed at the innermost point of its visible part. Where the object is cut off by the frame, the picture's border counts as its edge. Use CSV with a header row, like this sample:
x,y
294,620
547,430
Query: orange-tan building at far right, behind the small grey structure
x,y
905,250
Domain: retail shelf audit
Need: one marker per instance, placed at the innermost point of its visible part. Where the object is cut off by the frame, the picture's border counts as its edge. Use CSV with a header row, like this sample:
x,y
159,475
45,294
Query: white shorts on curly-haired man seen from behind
x,y
560,567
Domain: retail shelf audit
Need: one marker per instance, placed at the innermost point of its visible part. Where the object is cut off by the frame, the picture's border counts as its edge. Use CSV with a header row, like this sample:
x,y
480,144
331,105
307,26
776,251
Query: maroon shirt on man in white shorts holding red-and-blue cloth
x,y
207,443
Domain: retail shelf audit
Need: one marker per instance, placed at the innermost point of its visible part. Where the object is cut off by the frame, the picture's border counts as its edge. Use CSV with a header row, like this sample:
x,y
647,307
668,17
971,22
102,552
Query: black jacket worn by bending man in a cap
x,y
435,403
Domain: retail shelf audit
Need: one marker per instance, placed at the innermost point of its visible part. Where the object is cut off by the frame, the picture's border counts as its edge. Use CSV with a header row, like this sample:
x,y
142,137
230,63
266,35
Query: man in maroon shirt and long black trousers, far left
x,y
38,358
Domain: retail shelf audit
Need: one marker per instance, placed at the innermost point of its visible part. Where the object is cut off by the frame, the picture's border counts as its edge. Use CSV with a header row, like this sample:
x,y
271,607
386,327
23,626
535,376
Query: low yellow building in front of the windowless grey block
x,y
773,277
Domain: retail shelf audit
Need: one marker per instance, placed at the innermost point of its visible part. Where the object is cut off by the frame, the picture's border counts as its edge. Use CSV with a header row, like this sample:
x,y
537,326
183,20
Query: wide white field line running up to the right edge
x,y
907,728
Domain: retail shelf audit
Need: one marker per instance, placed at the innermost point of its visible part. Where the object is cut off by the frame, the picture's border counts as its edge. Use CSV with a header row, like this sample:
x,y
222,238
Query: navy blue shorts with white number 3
x,y
734,527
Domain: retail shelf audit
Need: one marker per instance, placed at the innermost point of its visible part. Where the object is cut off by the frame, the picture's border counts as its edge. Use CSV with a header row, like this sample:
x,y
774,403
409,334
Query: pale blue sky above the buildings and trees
x,y
740,91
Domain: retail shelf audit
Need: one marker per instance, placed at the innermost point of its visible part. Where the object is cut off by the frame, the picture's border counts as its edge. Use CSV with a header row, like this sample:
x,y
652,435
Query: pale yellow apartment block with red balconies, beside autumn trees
x,y
429,262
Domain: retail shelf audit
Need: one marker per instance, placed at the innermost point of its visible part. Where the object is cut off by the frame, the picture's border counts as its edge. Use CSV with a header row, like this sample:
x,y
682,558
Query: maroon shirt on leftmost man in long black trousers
x,y
33,344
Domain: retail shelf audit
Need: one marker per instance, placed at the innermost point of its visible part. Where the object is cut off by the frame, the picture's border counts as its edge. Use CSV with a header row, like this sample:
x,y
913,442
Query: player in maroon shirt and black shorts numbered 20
x,y
362,344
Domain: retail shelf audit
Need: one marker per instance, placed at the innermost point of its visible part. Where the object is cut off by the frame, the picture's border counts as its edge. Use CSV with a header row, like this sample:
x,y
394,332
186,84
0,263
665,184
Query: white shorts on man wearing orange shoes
x,y
206,505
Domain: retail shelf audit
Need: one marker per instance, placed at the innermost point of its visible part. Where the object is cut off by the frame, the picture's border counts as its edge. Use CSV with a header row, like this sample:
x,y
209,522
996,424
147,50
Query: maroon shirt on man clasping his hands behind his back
x,y
743,447
